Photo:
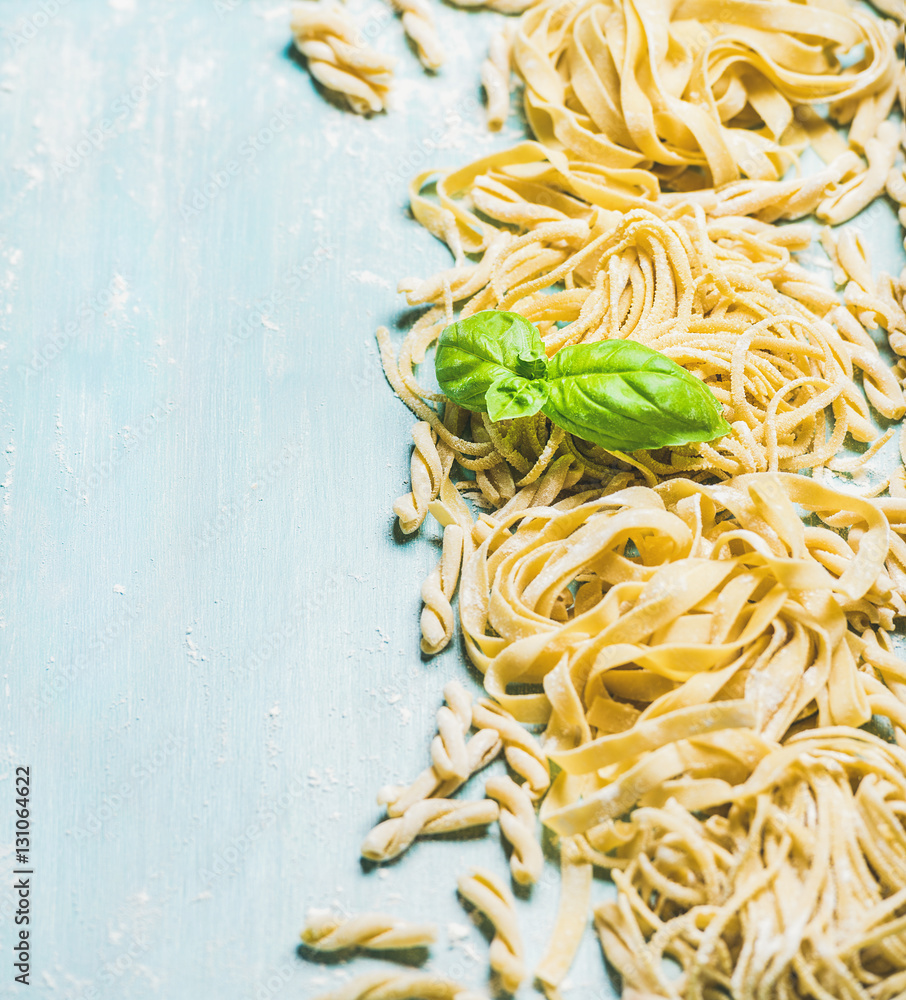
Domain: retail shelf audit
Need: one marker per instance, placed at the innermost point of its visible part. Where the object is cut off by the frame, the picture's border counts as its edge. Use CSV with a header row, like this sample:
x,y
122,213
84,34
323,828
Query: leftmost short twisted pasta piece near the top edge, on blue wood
x,y
337,57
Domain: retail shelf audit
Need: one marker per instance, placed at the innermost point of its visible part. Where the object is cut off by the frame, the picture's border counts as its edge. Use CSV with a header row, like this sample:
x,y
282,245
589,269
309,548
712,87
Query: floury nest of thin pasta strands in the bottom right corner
x,y
782,897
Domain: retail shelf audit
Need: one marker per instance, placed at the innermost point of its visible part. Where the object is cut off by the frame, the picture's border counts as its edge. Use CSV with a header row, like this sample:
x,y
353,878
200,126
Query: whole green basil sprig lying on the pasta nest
x,y
617,393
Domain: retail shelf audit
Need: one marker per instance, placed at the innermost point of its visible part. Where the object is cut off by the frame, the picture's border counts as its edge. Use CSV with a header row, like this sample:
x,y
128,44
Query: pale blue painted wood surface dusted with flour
x,y
209,630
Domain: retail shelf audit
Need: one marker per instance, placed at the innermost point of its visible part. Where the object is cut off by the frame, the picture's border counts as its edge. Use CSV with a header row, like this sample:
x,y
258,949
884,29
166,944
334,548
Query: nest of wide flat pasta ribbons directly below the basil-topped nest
x,y
654,614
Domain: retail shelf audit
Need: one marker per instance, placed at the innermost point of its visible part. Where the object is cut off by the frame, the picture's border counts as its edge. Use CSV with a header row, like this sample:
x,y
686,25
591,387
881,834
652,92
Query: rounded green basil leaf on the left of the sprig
x,y
475,352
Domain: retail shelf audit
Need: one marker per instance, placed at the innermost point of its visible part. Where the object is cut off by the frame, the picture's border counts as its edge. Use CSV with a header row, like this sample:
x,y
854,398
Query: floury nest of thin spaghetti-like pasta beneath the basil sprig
x,y
720,298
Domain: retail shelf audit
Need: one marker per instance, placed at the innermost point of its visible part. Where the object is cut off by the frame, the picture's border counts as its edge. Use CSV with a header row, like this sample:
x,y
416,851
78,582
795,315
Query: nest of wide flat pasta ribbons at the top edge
x,y
705,85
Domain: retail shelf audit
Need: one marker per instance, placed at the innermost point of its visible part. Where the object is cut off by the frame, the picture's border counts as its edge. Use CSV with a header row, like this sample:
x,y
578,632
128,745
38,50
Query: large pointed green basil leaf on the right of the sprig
x,y
627,397
